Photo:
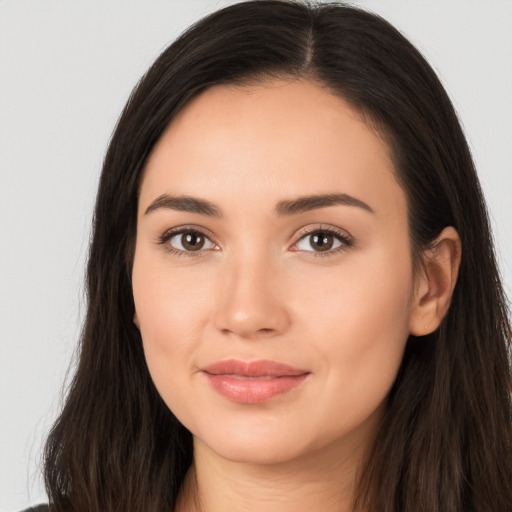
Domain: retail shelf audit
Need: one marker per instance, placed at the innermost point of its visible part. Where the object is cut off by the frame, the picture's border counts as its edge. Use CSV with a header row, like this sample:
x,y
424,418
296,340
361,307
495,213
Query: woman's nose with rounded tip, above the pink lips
x,y
251,300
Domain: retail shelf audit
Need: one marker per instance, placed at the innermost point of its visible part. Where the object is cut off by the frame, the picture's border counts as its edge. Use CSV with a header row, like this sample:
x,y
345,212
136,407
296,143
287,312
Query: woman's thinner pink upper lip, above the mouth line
x,y
260,368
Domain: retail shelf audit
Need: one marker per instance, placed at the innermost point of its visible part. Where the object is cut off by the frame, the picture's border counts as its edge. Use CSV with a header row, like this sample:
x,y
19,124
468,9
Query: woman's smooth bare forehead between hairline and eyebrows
x,y
269,142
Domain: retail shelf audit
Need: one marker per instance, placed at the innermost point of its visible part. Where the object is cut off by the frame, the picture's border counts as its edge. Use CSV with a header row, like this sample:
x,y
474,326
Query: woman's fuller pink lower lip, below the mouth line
x,y
253,390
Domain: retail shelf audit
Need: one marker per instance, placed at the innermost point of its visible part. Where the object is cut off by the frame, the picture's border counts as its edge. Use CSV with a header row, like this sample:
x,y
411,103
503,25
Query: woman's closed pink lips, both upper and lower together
x,y
253,382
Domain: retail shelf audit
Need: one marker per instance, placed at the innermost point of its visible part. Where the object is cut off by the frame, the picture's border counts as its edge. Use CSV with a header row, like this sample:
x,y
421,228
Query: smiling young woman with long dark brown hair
x,y
293,297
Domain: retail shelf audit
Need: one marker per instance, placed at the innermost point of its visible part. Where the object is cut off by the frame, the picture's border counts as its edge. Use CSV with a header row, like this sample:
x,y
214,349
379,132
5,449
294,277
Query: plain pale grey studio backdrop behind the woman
x,y
66,70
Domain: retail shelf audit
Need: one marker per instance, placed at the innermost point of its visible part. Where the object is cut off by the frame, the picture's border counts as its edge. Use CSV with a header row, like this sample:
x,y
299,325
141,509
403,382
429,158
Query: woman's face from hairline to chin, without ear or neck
x,y
272,276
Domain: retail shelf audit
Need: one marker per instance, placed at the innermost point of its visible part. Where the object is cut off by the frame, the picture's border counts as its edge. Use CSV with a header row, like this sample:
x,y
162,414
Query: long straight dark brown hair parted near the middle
x,y
445,443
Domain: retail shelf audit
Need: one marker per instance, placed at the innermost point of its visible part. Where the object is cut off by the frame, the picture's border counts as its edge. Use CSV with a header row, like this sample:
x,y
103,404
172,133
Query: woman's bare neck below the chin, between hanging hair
x,y
322,480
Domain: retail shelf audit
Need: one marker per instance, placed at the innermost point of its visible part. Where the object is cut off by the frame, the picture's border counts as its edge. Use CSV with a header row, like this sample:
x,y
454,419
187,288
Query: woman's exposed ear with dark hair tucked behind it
x,y
435,283
